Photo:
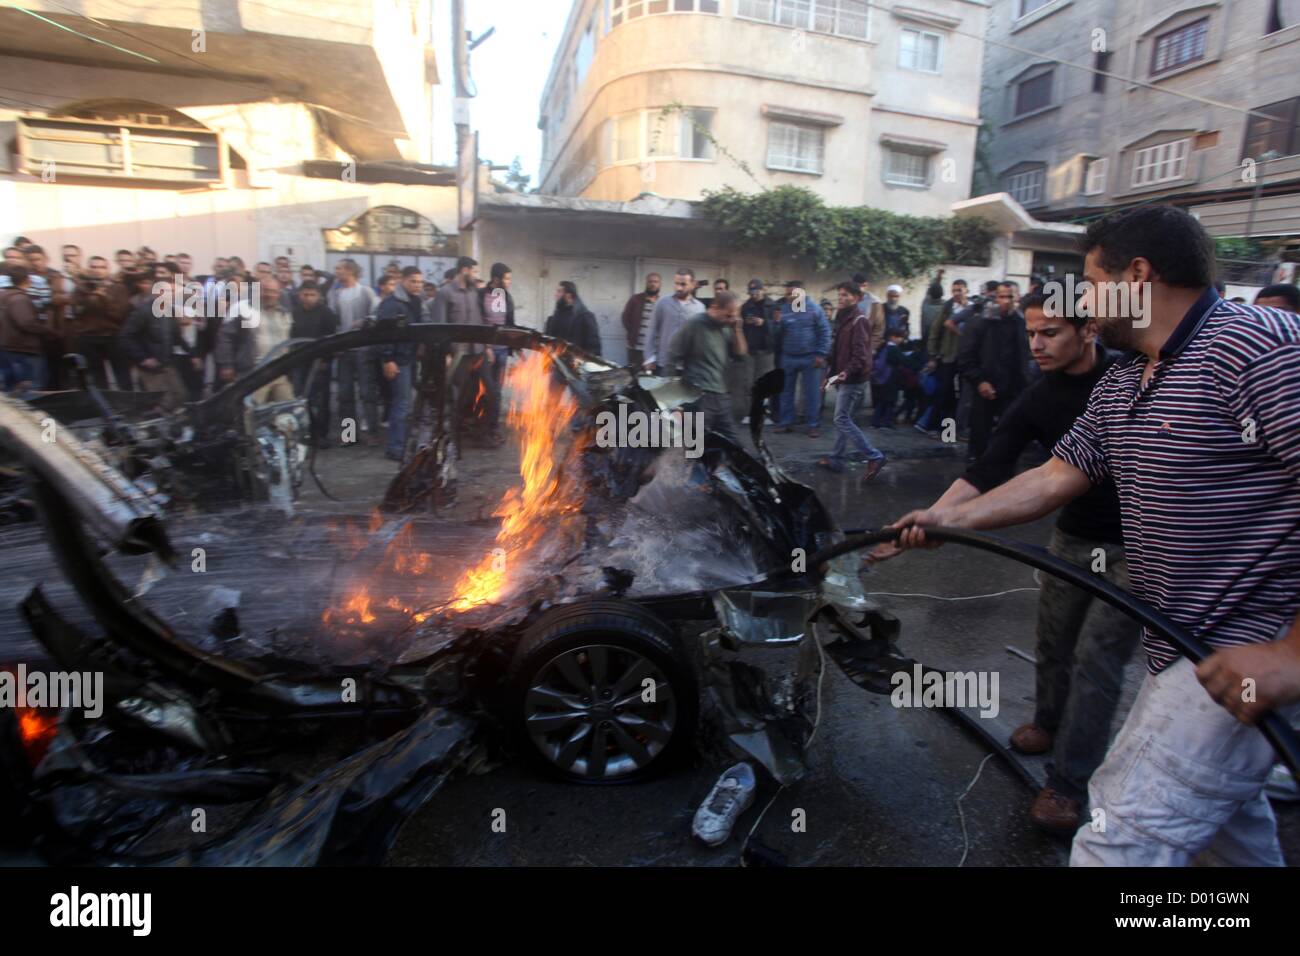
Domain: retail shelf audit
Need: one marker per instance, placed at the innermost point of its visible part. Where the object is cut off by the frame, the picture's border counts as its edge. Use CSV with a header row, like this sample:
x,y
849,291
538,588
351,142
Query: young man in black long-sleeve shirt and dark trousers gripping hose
x,y
1084,644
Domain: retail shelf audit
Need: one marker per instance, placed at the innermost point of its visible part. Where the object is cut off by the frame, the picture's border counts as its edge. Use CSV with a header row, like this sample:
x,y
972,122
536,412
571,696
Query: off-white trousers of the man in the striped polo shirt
x,y
1182,776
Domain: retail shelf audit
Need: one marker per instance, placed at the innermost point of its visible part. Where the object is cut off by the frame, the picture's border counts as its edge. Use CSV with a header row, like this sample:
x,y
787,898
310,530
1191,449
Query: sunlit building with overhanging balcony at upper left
x,y
254,128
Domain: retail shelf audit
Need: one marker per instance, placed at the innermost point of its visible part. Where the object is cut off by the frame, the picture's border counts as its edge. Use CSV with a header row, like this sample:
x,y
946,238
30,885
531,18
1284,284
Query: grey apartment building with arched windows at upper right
x,y
1188,102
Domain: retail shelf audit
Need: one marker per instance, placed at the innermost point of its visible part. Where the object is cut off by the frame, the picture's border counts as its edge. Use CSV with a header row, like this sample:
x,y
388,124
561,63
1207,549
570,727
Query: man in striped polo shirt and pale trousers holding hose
x,y
1199,429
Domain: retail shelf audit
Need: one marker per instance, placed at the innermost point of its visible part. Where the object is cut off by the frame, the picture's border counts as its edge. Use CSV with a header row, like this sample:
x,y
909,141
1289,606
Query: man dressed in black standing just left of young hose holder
x,y
994,358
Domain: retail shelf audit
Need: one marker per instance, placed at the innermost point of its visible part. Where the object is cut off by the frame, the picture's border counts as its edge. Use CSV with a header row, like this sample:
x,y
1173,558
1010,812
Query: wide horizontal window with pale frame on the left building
x,y
120,152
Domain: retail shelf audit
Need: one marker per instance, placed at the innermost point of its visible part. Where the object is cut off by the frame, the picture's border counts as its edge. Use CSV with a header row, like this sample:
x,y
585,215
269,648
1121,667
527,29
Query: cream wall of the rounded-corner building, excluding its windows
x,y
736,67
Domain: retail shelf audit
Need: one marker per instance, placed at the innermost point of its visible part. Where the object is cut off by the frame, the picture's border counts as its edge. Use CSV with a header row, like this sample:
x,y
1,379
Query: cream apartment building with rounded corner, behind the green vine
x,y
865,103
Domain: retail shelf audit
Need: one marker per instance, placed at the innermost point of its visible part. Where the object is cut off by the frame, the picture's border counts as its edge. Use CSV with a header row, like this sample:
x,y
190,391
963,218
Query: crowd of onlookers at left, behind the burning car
x,y
153,325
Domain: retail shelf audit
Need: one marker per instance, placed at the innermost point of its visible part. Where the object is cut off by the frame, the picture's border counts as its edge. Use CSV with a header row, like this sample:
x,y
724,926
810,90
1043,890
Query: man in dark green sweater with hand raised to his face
x,y
701,351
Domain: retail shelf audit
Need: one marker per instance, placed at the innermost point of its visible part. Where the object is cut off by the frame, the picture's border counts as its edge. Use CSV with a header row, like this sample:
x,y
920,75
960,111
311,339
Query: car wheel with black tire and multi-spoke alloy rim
x,y
582,707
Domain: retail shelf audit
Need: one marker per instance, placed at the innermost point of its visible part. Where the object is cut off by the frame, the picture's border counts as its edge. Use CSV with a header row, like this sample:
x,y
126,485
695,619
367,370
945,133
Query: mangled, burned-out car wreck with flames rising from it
x,y
304,678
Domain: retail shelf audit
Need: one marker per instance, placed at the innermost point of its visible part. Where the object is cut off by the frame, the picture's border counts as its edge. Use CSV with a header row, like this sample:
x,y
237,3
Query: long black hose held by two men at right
x,y
1275,729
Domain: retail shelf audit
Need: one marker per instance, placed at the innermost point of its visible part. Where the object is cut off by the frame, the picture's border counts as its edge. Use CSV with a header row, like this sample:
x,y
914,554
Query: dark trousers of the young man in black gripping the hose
x,y
1084,646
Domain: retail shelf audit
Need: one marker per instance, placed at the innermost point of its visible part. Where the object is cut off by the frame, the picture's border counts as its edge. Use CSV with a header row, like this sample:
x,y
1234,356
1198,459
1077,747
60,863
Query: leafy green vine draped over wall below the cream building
x,y
794,222
